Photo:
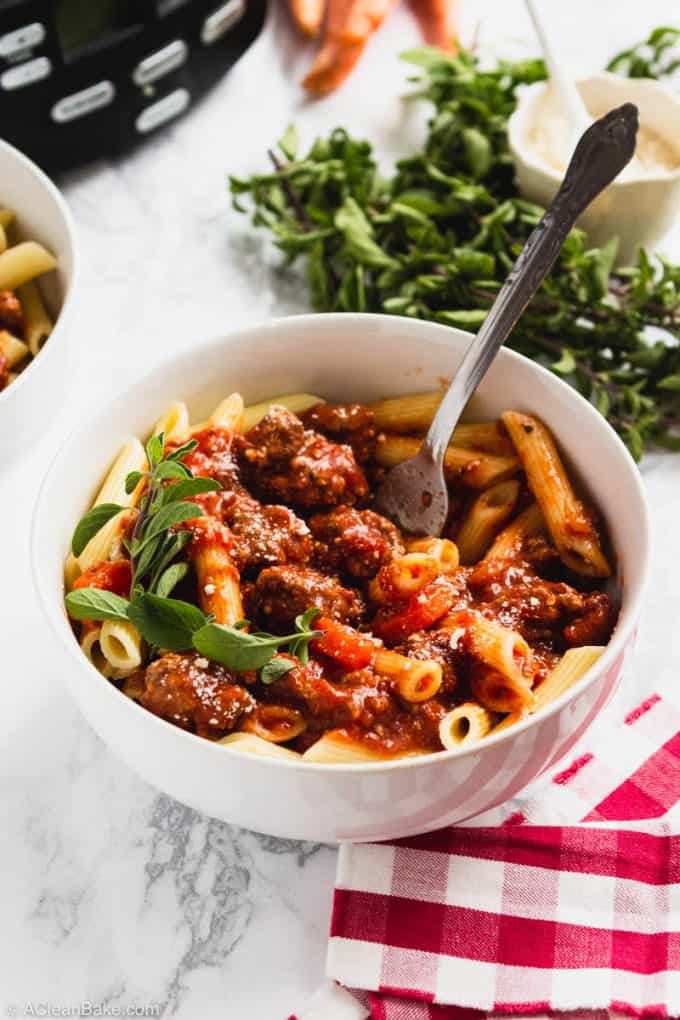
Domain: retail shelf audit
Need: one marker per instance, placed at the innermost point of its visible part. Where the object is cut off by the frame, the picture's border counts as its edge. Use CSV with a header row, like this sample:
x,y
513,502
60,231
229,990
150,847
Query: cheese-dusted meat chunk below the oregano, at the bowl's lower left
x,y
195,694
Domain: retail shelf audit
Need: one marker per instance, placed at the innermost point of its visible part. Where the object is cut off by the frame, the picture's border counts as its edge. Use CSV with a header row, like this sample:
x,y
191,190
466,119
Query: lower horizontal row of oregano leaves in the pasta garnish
x,y
175,626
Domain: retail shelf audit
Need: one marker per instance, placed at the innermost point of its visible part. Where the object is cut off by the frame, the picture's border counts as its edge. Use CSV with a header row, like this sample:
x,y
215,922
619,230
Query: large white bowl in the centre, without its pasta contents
x,y
341,358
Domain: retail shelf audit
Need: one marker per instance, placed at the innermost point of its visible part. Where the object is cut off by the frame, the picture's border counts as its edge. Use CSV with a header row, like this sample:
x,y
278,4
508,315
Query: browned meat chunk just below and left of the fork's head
x,y
355,542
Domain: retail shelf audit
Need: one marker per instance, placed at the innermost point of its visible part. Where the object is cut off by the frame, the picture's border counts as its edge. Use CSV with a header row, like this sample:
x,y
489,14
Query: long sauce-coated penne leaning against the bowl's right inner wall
x,y
570,526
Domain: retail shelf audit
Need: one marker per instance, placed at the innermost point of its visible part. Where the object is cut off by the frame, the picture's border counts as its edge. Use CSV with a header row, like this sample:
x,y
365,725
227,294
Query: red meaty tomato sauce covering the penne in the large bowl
x,y
406,634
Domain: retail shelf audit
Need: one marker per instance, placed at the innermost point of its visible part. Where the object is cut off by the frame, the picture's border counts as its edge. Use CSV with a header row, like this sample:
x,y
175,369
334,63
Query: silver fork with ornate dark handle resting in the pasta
x,y
414,494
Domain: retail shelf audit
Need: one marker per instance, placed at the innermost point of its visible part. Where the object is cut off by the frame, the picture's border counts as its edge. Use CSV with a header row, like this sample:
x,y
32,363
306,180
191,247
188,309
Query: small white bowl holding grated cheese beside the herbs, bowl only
x,y
639,212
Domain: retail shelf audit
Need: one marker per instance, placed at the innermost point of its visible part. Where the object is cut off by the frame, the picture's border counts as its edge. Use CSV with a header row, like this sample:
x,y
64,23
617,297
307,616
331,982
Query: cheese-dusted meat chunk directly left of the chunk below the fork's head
x,y
263,536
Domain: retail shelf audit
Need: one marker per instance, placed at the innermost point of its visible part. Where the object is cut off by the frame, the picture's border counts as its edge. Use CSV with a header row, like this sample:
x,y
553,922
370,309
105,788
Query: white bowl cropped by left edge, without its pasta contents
x,y
29,404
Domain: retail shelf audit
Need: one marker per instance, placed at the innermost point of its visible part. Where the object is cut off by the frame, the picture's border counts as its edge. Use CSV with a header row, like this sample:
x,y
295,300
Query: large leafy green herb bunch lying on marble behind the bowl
x,y
437,239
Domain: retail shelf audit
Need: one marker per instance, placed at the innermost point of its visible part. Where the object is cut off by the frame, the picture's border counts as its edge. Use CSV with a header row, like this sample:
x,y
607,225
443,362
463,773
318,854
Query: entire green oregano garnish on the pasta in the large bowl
x,y
154,548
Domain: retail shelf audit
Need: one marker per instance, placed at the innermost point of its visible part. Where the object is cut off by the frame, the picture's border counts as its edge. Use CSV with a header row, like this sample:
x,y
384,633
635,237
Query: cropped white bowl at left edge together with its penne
x,y
37,276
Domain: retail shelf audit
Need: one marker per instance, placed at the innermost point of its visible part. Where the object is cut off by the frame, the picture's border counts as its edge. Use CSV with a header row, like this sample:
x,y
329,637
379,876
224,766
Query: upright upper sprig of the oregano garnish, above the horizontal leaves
x,y
154,545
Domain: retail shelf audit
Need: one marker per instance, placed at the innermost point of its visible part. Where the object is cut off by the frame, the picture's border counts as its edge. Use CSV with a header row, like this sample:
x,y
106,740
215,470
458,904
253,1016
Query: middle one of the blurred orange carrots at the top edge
x,y
350,26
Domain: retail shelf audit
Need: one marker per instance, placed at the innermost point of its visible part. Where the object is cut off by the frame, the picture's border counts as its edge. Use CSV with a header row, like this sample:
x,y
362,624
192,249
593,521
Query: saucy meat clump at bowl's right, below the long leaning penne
x,y
545,613
